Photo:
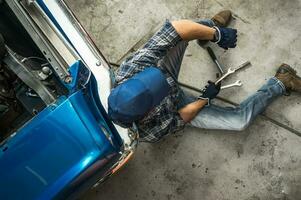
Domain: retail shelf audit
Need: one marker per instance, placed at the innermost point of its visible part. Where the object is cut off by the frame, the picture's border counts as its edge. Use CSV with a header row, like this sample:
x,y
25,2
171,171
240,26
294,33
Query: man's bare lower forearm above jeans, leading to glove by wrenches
x,y
189,111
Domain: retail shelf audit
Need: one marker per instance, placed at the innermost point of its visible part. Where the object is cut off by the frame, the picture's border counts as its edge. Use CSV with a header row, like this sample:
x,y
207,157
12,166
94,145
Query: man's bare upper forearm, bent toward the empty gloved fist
x,y
189,30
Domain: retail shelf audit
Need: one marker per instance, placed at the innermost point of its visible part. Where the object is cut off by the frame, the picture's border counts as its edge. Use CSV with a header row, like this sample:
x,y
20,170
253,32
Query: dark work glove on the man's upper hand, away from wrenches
x,y
225,37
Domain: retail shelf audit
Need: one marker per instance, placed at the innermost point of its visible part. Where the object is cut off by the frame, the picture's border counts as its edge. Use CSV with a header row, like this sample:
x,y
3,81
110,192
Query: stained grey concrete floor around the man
x,y
262,162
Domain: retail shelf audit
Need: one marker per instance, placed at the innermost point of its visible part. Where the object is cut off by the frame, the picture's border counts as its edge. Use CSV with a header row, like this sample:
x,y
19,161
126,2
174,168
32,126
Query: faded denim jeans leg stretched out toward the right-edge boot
x,y
238,118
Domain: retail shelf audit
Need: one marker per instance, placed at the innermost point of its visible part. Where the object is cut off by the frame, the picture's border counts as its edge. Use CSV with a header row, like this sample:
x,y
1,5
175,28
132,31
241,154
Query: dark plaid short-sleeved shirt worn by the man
x,y
164,118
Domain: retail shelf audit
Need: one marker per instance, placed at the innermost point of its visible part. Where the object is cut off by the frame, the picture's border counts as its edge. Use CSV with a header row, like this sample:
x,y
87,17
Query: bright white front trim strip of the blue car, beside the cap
x,y
86,51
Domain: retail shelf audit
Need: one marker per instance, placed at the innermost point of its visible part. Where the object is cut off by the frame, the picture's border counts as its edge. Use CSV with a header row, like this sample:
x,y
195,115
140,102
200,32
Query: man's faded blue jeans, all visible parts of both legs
x,y
223,118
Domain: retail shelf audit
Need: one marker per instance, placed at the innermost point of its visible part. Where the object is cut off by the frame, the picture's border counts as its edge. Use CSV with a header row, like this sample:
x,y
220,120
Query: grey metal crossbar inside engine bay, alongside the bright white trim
x,y
44,33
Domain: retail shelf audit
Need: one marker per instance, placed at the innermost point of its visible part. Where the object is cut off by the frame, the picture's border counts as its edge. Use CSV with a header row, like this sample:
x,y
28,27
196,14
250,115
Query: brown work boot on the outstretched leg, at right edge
x,y
288,76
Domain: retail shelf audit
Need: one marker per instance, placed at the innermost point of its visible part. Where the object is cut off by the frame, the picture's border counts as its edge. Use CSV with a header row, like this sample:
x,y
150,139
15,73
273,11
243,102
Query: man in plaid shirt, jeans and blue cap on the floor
x,y
147,97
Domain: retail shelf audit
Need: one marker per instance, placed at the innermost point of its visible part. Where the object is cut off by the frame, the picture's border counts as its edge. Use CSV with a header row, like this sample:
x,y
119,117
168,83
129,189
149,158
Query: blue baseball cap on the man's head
x,y
134,98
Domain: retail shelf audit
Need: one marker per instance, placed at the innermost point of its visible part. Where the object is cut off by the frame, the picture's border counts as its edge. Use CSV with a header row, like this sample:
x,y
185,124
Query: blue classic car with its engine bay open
x,y
56,138
